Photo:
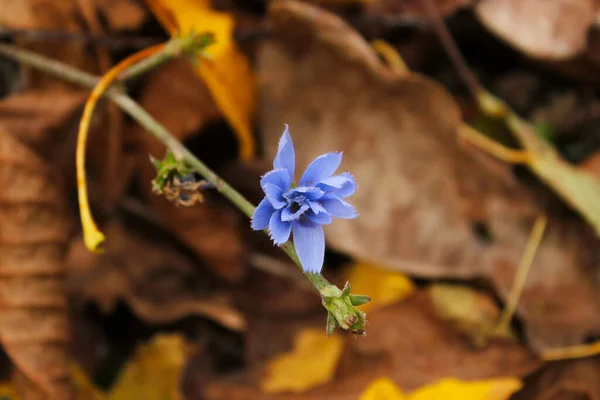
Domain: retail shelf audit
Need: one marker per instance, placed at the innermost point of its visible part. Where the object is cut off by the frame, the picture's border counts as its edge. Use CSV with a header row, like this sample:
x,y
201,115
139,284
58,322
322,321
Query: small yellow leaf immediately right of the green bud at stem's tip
x,y
385,287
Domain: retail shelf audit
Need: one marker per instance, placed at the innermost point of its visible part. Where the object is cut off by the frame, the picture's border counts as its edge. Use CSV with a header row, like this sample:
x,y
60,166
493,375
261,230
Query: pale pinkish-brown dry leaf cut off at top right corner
x,y
544,29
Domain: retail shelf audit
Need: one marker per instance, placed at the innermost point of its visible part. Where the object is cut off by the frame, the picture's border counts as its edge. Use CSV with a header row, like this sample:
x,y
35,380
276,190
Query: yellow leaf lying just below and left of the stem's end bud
x,y
312,362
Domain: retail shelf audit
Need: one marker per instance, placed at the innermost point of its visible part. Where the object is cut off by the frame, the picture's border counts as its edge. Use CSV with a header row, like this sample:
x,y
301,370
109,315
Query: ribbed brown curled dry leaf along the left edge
x,y
33,238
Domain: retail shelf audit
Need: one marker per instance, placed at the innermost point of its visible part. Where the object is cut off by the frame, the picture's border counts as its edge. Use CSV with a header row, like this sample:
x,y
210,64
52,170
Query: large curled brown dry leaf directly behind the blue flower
x,y
433,209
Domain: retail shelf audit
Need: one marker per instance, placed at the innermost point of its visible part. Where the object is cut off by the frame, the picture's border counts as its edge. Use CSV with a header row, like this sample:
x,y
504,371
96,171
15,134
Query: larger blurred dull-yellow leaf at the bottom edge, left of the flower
x,y
154,372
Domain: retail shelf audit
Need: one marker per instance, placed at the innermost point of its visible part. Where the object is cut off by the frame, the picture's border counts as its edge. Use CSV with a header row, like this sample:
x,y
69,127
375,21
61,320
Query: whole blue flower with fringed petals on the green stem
x,y
302,209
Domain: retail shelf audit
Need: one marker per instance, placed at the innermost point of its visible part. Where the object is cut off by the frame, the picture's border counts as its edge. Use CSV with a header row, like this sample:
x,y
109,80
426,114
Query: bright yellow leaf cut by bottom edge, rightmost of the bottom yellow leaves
x,y
454,389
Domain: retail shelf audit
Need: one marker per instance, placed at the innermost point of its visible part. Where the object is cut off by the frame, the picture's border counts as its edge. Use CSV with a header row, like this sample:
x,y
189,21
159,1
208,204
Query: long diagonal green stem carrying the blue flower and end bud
x,y
342,310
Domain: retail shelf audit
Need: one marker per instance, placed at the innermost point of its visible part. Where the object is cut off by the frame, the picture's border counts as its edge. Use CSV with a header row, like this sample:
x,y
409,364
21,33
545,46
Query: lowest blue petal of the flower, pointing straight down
x,y
309,241
